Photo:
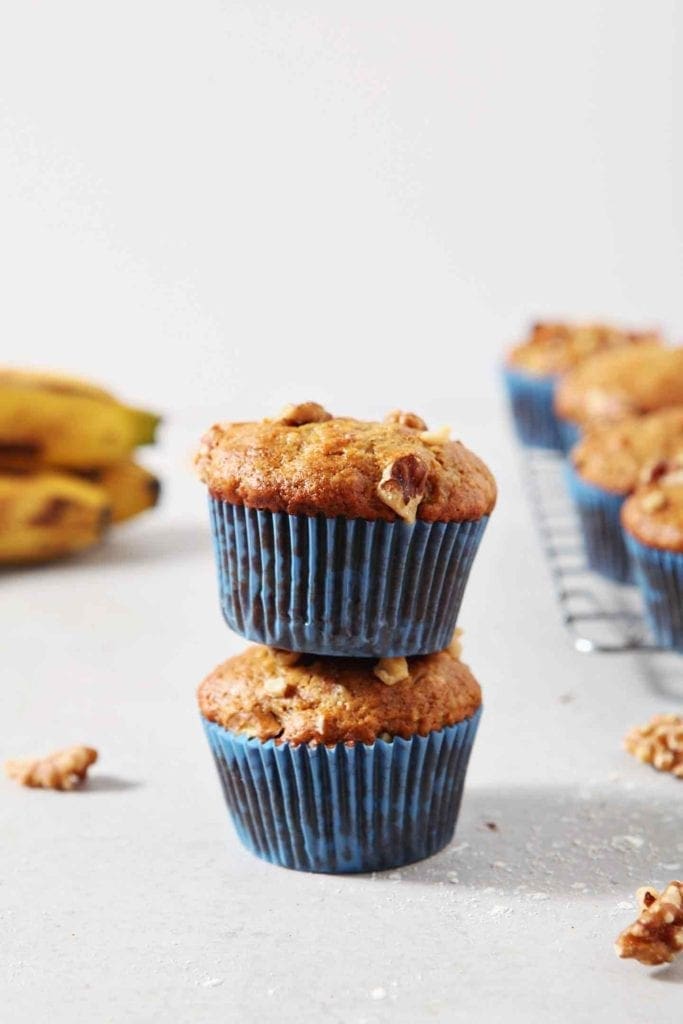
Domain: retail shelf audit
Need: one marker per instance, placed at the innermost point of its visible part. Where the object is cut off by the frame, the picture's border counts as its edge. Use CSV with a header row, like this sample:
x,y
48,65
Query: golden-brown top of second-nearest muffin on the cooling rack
x,y
638,450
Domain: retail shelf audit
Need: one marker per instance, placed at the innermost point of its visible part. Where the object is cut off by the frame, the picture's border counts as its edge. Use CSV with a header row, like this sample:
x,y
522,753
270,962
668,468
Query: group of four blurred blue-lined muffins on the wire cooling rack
x,y
614,400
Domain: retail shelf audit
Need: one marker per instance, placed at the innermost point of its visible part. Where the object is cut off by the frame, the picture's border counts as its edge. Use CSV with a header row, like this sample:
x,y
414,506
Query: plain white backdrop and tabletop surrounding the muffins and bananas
x,y
219,208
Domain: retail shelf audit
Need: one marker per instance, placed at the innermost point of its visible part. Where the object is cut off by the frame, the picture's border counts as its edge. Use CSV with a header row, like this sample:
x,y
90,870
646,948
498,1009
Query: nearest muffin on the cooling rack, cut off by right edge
x,y
653,519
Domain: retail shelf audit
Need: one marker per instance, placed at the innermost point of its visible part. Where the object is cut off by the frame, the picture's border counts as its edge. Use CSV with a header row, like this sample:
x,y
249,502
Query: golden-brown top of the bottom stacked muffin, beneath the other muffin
x,y
270,695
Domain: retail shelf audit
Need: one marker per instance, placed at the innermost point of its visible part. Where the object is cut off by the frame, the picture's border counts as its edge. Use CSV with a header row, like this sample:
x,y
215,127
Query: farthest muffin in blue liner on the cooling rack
x,y
534,367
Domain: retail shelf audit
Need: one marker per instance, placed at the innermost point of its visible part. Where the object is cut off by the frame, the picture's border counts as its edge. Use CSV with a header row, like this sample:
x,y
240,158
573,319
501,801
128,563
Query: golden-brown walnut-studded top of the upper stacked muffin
x,y
310,463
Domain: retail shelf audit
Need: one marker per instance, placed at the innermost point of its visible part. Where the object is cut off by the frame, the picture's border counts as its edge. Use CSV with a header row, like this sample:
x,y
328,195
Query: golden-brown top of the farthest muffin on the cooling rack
x,y
553,349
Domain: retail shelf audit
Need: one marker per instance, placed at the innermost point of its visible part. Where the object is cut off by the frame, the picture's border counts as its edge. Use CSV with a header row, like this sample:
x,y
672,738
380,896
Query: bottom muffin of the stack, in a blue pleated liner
x,y
338,764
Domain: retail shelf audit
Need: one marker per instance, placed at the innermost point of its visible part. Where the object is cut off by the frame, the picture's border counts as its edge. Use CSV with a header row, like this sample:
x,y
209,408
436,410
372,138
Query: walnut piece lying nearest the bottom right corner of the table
x,y
658,934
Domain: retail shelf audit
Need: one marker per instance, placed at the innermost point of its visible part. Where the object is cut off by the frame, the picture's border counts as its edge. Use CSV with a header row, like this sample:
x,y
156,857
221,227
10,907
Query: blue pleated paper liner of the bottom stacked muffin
x,y
346,808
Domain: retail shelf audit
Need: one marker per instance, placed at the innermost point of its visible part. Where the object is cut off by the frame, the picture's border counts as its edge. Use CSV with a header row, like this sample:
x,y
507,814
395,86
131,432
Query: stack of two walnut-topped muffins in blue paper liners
x,y
344,548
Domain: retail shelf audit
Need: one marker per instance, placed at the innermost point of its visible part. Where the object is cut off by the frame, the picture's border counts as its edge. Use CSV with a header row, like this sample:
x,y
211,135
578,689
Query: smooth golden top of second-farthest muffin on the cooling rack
x,y
627,381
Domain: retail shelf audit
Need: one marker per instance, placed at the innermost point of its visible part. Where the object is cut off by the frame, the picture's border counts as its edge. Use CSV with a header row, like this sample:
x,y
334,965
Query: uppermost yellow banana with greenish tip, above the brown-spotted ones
x,y
47,420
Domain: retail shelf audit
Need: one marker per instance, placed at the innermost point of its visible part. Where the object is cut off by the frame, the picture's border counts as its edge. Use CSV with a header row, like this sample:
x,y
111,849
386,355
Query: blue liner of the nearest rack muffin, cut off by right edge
x,y
660,578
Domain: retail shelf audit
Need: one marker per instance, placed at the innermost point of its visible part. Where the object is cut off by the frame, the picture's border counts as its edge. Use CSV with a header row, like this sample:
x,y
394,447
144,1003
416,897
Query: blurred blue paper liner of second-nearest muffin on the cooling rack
x,y
600,510
